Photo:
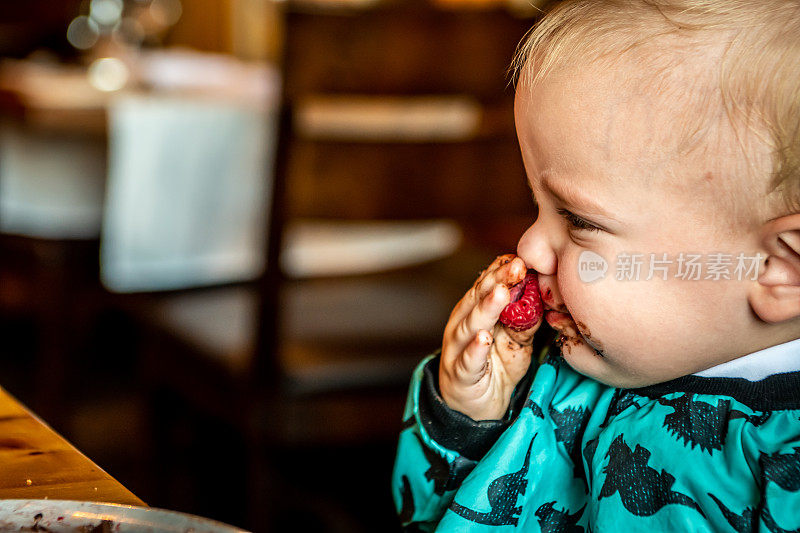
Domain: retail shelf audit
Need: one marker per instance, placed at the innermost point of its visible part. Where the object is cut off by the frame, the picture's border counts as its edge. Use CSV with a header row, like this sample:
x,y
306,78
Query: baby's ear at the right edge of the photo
x,y
777,295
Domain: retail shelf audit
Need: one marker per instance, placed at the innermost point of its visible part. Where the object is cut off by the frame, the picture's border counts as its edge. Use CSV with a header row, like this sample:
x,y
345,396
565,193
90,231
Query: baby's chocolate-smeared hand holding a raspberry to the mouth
x,y
482,360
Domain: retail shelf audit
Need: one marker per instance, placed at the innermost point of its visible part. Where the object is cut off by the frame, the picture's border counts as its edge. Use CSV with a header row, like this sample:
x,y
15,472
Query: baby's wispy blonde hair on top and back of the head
x,y
758,76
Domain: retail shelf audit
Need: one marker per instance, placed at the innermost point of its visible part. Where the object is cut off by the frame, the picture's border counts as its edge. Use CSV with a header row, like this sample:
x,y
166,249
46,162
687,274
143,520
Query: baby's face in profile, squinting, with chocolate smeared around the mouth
x,y
605,167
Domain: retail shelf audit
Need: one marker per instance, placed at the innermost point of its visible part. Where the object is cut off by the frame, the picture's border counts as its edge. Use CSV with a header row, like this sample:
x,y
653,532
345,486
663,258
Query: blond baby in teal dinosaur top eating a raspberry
x,y
661,140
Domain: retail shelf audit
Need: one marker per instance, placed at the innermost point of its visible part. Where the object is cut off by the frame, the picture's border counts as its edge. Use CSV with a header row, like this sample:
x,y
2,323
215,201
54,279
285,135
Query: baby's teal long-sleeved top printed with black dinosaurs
x,y
691,454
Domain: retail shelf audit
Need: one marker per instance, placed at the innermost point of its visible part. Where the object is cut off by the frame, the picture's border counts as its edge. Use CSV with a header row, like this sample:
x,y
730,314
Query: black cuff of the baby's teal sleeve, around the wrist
x,y
455,430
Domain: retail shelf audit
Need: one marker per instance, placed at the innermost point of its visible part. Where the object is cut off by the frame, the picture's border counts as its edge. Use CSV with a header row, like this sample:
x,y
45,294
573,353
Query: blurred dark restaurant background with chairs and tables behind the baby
x,y
229,229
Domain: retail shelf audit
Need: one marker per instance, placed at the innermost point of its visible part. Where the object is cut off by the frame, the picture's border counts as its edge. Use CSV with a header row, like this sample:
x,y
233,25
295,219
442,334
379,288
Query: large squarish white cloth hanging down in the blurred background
x,y
188,184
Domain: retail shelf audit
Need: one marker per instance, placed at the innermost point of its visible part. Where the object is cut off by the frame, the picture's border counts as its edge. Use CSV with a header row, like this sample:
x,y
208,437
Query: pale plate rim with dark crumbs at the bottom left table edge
x,y
61,516
